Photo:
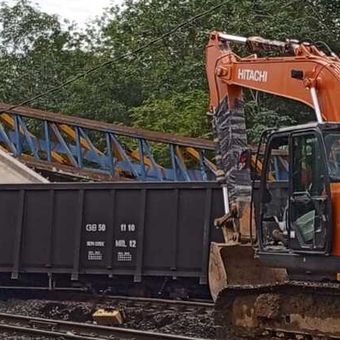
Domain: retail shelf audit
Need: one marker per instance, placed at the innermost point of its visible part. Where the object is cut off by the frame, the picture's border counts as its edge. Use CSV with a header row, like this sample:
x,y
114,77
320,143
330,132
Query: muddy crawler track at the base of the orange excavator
x,y
304,310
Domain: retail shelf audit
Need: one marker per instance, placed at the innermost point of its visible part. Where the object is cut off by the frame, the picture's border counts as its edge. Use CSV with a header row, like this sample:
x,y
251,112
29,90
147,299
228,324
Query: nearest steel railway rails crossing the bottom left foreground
x,y
73,330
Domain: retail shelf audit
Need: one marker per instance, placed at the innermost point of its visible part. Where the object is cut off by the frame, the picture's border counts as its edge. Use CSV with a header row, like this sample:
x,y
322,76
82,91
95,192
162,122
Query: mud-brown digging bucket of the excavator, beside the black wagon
x,y
235,264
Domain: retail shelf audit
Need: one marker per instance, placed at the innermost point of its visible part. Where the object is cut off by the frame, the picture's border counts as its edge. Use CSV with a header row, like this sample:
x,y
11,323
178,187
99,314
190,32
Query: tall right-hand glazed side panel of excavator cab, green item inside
x,y
308,198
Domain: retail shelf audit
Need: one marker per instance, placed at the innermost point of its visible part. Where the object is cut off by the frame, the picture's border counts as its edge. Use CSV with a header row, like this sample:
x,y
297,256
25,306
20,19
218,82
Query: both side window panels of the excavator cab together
x,y
294,201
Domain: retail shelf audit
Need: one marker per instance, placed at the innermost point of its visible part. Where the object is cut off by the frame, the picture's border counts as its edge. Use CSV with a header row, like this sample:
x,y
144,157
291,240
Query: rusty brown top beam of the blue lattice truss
x,y
114,128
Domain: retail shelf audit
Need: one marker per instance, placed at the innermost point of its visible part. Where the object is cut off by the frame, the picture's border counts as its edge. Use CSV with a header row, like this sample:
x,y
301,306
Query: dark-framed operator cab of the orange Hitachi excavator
x,y
294,210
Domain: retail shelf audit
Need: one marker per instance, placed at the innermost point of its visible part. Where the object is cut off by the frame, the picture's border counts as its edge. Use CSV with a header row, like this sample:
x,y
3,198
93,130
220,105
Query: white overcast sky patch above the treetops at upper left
x,y
75,10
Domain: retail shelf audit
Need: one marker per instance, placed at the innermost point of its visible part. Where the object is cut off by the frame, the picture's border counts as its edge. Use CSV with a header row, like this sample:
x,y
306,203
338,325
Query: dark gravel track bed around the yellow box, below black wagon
x,y
182,319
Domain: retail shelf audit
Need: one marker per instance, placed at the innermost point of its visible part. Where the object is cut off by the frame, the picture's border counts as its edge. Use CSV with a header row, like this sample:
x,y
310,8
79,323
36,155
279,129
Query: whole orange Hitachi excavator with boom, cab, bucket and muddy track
x,y
278,268
